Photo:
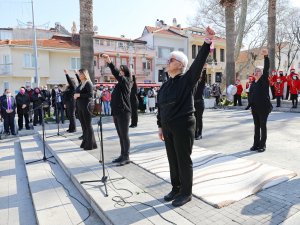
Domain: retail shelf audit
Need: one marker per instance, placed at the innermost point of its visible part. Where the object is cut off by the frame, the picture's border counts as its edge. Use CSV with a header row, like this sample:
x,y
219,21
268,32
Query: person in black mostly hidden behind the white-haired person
x,y
199,105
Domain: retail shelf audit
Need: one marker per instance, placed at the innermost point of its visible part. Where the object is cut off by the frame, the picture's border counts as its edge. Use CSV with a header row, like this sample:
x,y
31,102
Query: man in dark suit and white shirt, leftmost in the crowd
x,y
8,110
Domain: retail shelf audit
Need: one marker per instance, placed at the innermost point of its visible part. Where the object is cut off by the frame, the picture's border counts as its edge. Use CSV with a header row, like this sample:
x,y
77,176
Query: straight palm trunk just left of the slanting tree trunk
x,y
229,6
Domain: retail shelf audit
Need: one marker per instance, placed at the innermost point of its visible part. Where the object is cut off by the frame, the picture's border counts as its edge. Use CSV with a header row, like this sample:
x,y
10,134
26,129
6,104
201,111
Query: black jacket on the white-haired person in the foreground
x,y
176,96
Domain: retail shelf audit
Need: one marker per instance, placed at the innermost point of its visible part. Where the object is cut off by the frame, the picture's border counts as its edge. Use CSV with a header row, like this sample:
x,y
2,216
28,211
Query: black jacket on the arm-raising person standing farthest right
x,y
259,99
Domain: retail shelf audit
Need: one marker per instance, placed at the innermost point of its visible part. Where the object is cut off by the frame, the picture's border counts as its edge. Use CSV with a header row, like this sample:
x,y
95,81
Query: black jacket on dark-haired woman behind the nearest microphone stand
x,y
120,98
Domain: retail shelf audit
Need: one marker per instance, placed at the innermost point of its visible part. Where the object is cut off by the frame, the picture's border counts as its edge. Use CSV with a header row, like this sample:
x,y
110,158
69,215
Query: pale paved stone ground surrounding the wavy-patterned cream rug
x,y
230,132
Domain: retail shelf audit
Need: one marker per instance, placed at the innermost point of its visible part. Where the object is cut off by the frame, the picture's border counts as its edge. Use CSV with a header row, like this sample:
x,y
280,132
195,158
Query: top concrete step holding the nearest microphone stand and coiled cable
x,y
80,166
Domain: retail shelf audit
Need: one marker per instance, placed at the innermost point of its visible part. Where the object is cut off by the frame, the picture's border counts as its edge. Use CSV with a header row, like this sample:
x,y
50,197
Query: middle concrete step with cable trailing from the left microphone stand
x,y
51,189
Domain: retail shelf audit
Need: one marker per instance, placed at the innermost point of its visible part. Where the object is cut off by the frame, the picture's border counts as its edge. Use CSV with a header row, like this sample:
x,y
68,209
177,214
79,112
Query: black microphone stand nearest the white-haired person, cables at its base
x,y
101,160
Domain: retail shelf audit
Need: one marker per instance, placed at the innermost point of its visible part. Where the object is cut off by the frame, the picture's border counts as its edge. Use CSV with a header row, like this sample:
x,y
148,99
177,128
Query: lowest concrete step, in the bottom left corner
x,y
15,200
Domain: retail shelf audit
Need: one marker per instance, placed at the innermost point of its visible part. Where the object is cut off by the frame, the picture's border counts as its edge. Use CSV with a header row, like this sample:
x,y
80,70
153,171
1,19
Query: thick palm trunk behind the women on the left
x,y
86,37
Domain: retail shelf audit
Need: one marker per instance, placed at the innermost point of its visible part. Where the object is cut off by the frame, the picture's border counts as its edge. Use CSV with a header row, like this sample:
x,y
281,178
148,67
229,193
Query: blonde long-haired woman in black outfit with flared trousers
x,y
83,96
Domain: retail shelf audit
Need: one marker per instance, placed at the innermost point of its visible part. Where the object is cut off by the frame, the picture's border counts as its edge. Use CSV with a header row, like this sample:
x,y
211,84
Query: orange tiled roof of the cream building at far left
x,y
55,42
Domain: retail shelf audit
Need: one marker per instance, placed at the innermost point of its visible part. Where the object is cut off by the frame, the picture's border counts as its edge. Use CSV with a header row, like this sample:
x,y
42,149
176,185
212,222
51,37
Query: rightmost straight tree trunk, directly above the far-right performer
x,y
271,32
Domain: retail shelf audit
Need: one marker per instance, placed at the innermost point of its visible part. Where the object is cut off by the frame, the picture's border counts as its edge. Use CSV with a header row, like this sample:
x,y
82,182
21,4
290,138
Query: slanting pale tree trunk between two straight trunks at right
x,y
241,29
